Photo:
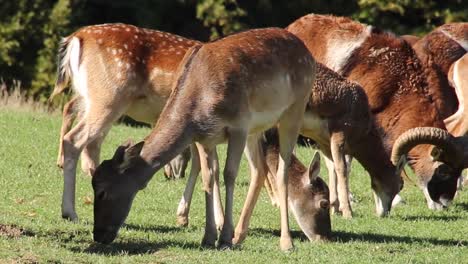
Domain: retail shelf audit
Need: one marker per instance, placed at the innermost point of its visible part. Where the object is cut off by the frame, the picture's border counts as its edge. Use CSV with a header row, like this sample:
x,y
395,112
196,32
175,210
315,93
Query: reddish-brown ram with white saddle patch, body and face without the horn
x,y
403,90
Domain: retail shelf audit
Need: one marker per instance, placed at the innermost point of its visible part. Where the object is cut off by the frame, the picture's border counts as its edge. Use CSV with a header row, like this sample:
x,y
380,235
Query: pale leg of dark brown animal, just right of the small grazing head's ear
x,y
337,145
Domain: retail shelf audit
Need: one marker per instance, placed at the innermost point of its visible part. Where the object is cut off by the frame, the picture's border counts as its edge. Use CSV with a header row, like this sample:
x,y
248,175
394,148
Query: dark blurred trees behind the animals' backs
x,y
30,30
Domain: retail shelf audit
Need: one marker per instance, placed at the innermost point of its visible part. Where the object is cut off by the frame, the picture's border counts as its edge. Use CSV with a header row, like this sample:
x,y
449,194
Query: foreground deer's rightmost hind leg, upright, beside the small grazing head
x,y
288,131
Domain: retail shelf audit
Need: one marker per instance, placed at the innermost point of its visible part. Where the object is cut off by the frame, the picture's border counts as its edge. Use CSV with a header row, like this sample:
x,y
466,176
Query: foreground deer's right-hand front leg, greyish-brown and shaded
x,y
236,143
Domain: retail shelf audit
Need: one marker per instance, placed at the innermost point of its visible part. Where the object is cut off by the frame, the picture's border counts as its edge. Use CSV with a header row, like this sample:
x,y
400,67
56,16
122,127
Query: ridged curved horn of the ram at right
x,y
441,139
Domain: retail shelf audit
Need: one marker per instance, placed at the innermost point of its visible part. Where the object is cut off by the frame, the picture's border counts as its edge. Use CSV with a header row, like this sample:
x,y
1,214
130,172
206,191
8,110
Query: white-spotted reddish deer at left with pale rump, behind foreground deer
x,y
115,69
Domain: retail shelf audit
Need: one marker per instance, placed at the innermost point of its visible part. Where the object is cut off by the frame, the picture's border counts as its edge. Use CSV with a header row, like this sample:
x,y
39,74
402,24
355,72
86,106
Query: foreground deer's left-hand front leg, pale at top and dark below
x,y
206,164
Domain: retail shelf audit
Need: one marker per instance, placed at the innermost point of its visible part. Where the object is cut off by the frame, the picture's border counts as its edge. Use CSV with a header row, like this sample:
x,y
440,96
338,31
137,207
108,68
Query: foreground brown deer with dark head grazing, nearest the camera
x,y
228,90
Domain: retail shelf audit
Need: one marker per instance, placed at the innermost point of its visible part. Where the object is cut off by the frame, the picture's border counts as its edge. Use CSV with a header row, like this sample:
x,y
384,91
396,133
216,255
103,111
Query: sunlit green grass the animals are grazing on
x,y
30,197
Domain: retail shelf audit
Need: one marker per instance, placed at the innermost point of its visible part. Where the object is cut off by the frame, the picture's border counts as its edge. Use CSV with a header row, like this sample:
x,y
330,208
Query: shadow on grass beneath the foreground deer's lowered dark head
x,y
134,247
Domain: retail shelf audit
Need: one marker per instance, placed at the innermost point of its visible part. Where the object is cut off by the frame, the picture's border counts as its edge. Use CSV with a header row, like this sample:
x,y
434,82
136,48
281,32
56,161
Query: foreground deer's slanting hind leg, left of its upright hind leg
x,y
257,164
